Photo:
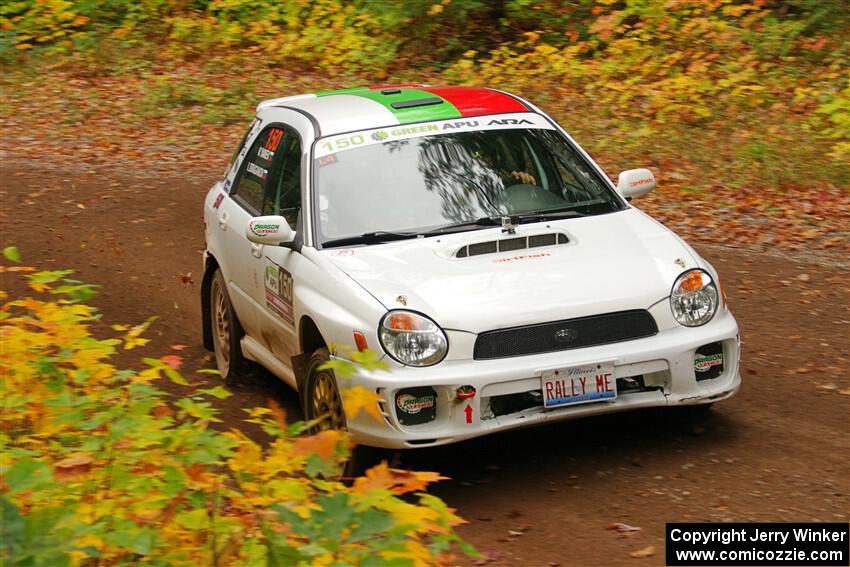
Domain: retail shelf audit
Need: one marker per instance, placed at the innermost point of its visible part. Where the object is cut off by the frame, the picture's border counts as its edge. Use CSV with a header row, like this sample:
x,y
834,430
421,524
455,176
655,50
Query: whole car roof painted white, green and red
x,y
360,108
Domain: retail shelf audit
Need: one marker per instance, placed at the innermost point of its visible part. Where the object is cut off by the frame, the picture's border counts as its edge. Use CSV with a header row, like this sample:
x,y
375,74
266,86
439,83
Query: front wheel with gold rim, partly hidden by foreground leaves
x,y
322,398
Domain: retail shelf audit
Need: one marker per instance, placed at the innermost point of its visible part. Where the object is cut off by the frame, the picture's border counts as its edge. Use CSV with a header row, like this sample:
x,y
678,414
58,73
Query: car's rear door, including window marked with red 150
x,y
248,190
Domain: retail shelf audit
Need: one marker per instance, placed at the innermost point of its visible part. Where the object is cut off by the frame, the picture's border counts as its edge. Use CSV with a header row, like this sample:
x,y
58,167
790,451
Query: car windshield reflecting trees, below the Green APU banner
x,y
417,184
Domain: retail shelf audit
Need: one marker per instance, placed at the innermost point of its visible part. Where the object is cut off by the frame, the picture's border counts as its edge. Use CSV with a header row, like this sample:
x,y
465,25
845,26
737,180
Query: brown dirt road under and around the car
x,y
776,452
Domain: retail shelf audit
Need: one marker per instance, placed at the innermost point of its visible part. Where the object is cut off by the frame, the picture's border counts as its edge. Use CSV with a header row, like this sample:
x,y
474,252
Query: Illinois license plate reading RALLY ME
x,y
579,385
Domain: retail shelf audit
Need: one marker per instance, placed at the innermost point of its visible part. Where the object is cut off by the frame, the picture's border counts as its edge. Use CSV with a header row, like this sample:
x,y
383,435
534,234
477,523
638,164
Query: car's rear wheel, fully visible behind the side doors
x,y
226,331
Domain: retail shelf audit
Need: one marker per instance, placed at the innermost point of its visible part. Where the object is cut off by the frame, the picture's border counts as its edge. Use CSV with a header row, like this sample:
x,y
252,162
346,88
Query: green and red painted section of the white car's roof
x,y
456,102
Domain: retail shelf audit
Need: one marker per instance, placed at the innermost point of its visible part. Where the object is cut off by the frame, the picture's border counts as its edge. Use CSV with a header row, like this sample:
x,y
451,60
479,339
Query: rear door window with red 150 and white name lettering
x,y
256,170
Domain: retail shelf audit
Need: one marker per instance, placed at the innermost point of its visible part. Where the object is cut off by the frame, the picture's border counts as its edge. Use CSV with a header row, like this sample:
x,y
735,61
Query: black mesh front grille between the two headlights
x,y
565,335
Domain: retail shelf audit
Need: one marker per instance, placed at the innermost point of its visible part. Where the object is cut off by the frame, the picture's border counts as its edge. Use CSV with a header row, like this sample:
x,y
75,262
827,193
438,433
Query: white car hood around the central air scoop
x,y
613,262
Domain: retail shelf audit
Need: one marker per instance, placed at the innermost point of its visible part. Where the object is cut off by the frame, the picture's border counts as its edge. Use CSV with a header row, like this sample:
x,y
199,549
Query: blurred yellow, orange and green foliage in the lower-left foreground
x,y
107,467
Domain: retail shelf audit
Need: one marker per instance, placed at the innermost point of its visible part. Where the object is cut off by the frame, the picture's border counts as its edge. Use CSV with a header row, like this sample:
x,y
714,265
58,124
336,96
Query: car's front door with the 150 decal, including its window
x,y
280,264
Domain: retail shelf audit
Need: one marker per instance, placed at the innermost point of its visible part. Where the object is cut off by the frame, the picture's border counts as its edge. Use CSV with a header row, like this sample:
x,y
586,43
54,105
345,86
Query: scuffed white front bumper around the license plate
x,y
664,363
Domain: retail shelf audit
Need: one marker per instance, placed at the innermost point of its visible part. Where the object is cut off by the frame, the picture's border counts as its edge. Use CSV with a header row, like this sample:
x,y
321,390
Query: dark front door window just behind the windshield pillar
x,y
283,194
